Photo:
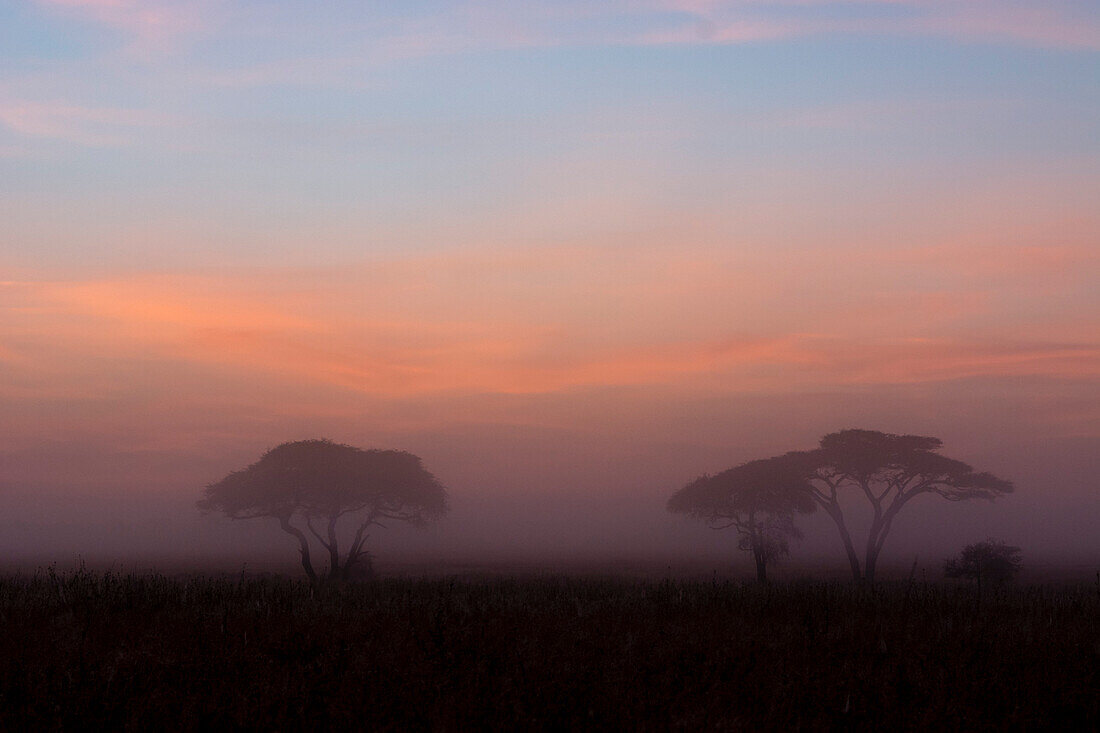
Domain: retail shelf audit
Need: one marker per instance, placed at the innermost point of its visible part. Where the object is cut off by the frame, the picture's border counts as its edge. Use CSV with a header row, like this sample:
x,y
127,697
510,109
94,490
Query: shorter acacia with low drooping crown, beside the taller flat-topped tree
x,y
758,499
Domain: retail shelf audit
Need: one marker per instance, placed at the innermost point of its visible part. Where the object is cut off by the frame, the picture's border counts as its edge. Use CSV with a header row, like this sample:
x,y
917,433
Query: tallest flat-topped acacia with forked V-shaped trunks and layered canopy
x,y
889,472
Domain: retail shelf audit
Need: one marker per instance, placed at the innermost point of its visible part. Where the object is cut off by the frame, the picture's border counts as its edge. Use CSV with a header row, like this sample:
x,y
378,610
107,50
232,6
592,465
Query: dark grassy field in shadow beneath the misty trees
x,y
90,651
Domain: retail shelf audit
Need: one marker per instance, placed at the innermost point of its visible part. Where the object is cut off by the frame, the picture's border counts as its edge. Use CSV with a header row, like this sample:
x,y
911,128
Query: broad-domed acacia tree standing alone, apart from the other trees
x,y
311,486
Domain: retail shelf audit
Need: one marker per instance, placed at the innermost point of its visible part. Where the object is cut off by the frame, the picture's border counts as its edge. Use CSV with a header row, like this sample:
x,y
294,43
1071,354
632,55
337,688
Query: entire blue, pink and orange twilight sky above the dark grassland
x,y
573,255
